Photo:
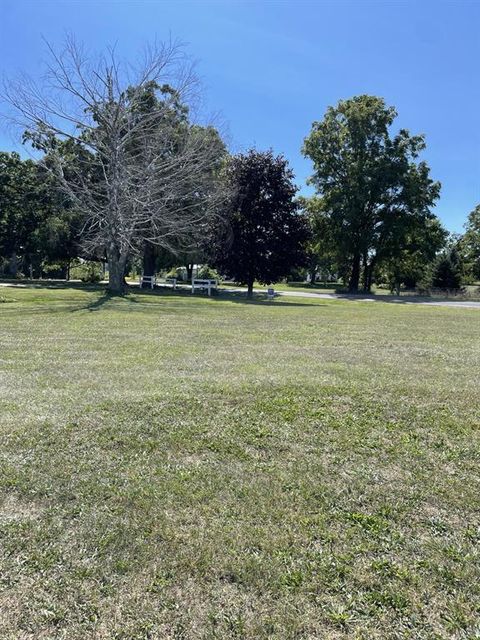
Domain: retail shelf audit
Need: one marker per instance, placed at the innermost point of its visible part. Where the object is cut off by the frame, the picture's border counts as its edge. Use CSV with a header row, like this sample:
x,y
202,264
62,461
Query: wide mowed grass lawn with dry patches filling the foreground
x,y
182,467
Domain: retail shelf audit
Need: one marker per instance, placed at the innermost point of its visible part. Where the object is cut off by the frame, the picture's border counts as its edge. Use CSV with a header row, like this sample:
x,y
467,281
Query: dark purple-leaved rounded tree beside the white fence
x,y
264,235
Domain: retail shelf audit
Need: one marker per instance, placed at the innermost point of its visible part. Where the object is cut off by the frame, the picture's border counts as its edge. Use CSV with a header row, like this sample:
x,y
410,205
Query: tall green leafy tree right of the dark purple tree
x,y
374,190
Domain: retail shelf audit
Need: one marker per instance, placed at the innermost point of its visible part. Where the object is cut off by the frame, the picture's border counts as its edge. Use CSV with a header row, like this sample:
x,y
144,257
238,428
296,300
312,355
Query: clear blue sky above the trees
x,y
271,68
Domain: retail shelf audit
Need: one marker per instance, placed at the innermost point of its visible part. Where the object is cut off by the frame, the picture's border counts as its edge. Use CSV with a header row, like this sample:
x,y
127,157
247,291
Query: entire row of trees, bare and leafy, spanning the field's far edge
x,y
124,173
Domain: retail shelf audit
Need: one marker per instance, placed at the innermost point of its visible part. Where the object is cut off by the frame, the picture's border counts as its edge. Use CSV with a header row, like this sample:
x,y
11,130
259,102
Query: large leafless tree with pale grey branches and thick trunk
x,y
119,140
